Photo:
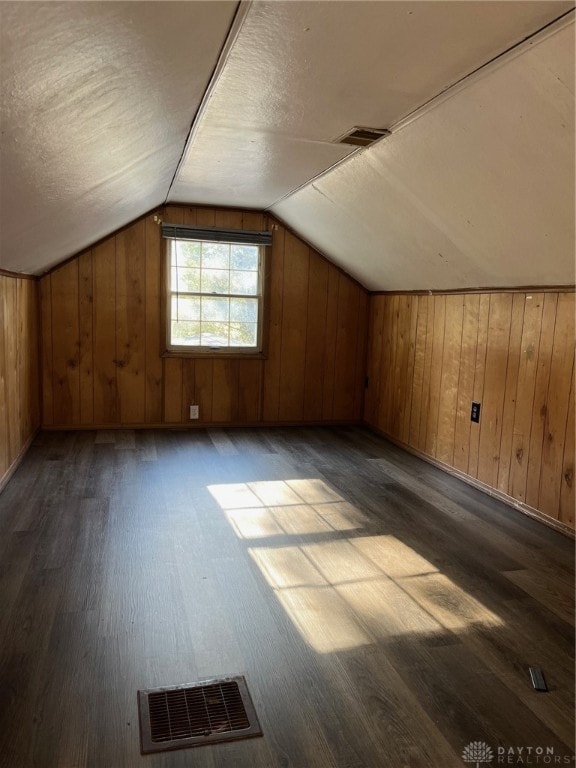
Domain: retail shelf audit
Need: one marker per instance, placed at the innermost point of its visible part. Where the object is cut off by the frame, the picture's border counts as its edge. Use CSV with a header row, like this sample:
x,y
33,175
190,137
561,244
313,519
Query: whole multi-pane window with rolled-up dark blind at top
x,y
215,294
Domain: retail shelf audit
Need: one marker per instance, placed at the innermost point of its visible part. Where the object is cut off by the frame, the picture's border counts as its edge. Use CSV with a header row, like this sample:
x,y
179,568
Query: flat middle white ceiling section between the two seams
x,y
301,74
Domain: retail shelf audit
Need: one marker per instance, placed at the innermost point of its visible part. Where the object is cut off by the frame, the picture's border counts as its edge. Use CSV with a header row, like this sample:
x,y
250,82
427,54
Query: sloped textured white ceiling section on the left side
x,y
97,99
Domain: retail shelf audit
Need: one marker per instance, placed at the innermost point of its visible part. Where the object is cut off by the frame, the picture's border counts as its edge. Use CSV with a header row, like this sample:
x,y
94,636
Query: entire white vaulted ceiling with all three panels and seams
x,y
109,109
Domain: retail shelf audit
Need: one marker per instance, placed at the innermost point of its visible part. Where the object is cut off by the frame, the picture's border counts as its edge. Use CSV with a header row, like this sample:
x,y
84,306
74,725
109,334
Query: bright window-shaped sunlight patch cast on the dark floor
x,y
343,592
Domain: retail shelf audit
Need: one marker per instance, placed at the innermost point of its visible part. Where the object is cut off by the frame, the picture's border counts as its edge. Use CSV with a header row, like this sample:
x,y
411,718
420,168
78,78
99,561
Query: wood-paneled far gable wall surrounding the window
x,y
101,329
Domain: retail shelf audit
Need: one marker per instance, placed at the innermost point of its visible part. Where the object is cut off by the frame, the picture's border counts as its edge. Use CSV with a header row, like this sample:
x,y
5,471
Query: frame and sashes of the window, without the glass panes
x,y
229,351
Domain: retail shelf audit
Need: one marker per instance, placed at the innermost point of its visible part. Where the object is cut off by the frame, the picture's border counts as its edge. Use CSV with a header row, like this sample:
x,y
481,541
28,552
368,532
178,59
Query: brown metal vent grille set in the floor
x,y
205,712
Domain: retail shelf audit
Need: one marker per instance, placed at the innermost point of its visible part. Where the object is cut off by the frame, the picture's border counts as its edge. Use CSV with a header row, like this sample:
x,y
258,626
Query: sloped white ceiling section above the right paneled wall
x,y
477,192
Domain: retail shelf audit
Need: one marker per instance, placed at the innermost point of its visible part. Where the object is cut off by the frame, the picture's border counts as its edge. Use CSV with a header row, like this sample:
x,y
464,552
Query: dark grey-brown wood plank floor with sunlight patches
x,y
383,613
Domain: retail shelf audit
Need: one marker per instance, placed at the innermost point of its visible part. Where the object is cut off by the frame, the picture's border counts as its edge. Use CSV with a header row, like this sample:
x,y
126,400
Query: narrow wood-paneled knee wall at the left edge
x,y
19,369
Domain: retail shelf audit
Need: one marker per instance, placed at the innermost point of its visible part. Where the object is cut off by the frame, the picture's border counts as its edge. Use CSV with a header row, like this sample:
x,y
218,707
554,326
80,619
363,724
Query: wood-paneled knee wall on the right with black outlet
x,y
431,356
